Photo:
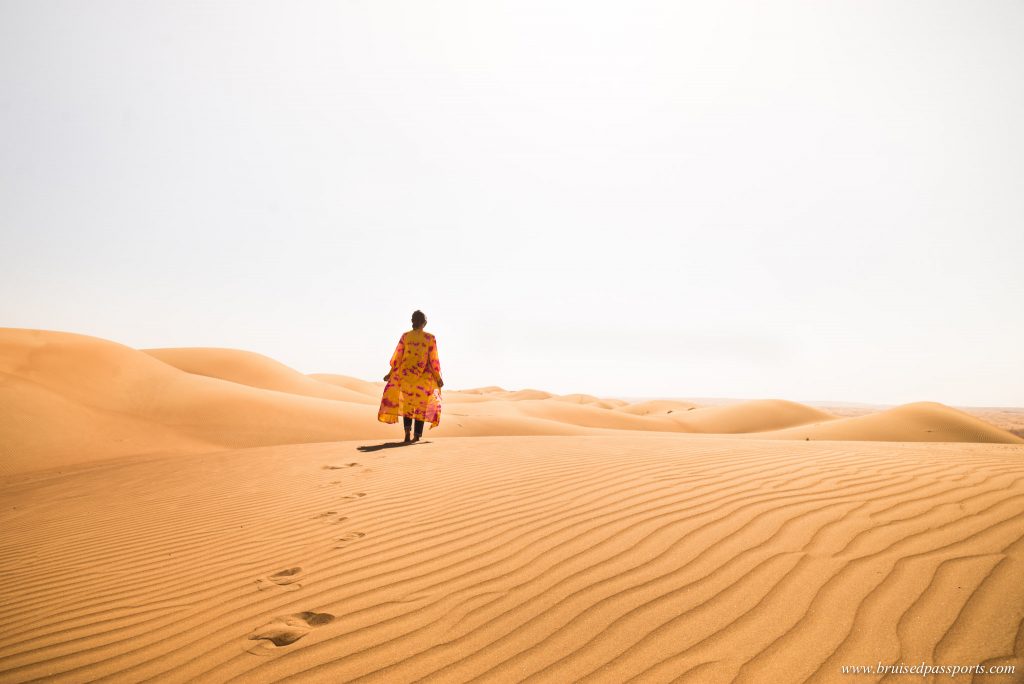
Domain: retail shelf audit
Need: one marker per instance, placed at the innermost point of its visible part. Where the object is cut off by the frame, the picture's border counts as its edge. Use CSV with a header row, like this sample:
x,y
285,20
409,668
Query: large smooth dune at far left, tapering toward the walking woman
x,y
120,401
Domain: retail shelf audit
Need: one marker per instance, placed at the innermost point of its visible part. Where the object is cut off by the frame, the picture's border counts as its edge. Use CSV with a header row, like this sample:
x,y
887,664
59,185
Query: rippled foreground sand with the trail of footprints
x,y
630,558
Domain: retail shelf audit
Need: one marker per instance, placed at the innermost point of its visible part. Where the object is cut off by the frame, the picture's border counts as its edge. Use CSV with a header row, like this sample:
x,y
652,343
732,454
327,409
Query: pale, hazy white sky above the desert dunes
x,y
813,201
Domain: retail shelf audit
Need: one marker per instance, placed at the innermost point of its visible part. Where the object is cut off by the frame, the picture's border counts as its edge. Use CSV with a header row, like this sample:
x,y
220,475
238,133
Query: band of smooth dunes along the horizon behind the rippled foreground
x,y
114,401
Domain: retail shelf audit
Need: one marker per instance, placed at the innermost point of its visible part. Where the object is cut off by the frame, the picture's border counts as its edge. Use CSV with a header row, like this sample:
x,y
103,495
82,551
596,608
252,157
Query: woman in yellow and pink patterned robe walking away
x,y
414,383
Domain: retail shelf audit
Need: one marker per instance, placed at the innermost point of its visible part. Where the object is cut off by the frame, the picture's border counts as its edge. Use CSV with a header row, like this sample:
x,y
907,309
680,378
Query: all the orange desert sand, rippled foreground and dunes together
x,y
214,516
